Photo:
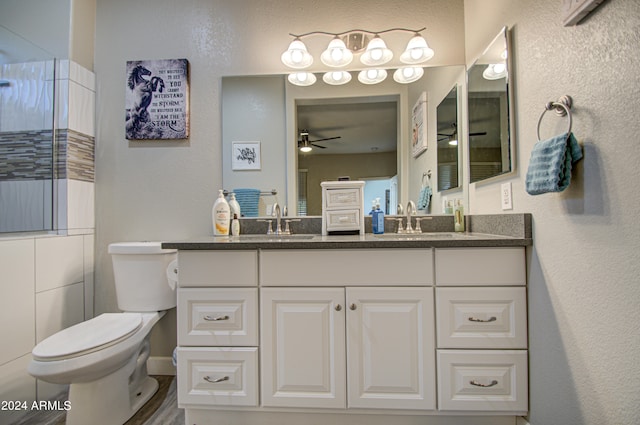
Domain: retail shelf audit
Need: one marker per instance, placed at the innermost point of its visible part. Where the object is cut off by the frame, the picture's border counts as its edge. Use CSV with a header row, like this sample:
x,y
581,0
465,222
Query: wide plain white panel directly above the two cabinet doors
x,y
346,267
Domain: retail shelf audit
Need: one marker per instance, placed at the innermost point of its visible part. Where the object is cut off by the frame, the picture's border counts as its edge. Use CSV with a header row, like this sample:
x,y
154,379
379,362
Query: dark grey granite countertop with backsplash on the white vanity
x,y
485,231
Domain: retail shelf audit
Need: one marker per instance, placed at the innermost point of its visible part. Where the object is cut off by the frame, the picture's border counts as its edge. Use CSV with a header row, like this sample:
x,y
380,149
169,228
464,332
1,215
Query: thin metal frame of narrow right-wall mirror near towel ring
x,y
504,34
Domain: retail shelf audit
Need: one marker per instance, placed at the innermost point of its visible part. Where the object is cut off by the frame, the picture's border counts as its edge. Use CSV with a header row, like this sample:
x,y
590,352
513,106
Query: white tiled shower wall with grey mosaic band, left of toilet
x,y
47,282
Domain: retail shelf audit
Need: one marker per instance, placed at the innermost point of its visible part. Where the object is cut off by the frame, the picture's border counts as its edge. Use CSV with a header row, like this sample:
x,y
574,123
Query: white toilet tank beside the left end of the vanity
x,y
140,273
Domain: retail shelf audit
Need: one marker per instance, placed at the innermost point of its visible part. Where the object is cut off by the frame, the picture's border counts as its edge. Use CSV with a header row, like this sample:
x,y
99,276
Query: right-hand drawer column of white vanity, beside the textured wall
x,y
481,320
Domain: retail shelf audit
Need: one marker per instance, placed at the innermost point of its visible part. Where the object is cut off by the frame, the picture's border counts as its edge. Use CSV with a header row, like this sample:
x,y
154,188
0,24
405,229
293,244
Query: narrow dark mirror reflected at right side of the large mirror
x,y
447,137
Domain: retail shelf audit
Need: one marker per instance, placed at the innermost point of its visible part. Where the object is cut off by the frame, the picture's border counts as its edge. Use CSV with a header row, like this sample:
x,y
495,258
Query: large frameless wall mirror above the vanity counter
x,y
366,130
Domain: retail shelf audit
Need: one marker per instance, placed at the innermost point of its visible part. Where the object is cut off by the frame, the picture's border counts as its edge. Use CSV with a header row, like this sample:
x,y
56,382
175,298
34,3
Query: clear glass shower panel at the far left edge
x,y
27,136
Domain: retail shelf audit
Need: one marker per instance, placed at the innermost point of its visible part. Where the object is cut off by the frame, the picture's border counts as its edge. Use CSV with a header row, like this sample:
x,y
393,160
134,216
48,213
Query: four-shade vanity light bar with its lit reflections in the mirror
x,y
373,52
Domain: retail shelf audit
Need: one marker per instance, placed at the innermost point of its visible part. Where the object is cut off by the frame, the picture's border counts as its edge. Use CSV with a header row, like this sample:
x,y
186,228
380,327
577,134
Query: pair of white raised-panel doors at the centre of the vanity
x,y
387,361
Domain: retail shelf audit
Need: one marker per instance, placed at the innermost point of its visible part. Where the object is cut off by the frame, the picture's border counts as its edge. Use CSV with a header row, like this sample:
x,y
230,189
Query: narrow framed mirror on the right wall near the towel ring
x,y
490,115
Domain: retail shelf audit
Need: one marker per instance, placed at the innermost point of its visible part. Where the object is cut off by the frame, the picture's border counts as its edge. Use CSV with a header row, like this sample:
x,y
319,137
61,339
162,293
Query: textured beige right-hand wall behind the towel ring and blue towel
x,y
583,275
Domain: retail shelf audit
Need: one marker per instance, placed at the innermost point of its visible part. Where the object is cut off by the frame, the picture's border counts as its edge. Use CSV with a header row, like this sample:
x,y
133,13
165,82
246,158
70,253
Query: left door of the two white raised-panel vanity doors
x,y
303,346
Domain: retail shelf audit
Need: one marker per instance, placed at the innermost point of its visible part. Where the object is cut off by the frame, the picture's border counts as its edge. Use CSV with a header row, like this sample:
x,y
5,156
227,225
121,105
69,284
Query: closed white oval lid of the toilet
x,y
106,329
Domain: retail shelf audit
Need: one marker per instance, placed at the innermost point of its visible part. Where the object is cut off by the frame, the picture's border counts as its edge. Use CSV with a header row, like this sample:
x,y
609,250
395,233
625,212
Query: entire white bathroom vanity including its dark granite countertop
x,y
316,329
